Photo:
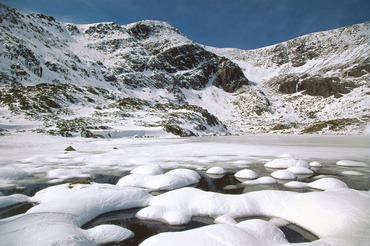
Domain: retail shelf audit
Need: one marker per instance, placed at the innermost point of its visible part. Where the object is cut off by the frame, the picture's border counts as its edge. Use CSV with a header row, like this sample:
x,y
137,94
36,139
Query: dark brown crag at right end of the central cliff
x,y
229,76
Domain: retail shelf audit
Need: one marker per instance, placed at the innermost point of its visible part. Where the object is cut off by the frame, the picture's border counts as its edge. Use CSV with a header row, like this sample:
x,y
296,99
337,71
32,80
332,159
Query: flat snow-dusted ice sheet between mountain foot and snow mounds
x,y
27,157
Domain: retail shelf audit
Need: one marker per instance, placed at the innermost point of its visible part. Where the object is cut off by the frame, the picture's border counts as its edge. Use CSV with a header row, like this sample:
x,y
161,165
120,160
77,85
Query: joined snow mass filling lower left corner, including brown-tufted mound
x,y
61,211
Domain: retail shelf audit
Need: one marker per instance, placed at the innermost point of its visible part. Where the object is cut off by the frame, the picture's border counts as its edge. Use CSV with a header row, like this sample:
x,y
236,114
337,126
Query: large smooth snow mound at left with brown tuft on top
x,y
86,201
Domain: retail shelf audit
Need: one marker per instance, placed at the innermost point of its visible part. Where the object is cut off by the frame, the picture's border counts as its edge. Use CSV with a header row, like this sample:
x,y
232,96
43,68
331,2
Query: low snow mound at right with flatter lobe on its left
x,y
321,184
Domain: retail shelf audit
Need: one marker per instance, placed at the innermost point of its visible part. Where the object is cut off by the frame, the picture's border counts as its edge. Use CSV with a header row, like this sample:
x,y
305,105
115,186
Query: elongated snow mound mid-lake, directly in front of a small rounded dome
x,y
171,180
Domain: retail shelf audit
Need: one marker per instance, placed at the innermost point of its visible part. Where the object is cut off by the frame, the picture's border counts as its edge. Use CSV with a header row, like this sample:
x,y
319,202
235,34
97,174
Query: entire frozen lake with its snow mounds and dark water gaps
x,y
32,162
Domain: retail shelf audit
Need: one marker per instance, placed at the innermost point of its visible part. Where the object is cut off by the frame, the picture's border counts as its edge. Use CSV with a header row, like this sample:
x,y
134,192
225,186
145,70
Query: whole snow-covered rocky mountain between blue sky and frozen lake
x,y
145,78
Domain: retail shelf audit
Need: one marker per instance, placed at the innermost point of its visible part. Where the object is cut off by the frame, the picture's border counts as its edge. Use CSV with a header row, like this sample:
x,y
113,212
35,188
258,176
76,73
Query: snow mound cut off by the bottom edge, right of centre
x,y
252,232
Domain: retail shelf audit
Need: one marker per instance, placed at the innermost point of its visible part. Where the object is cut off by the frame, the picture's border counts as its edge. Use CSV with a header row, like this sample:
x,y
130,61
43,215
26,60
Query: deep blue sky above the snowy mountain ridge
x,y
245,24
